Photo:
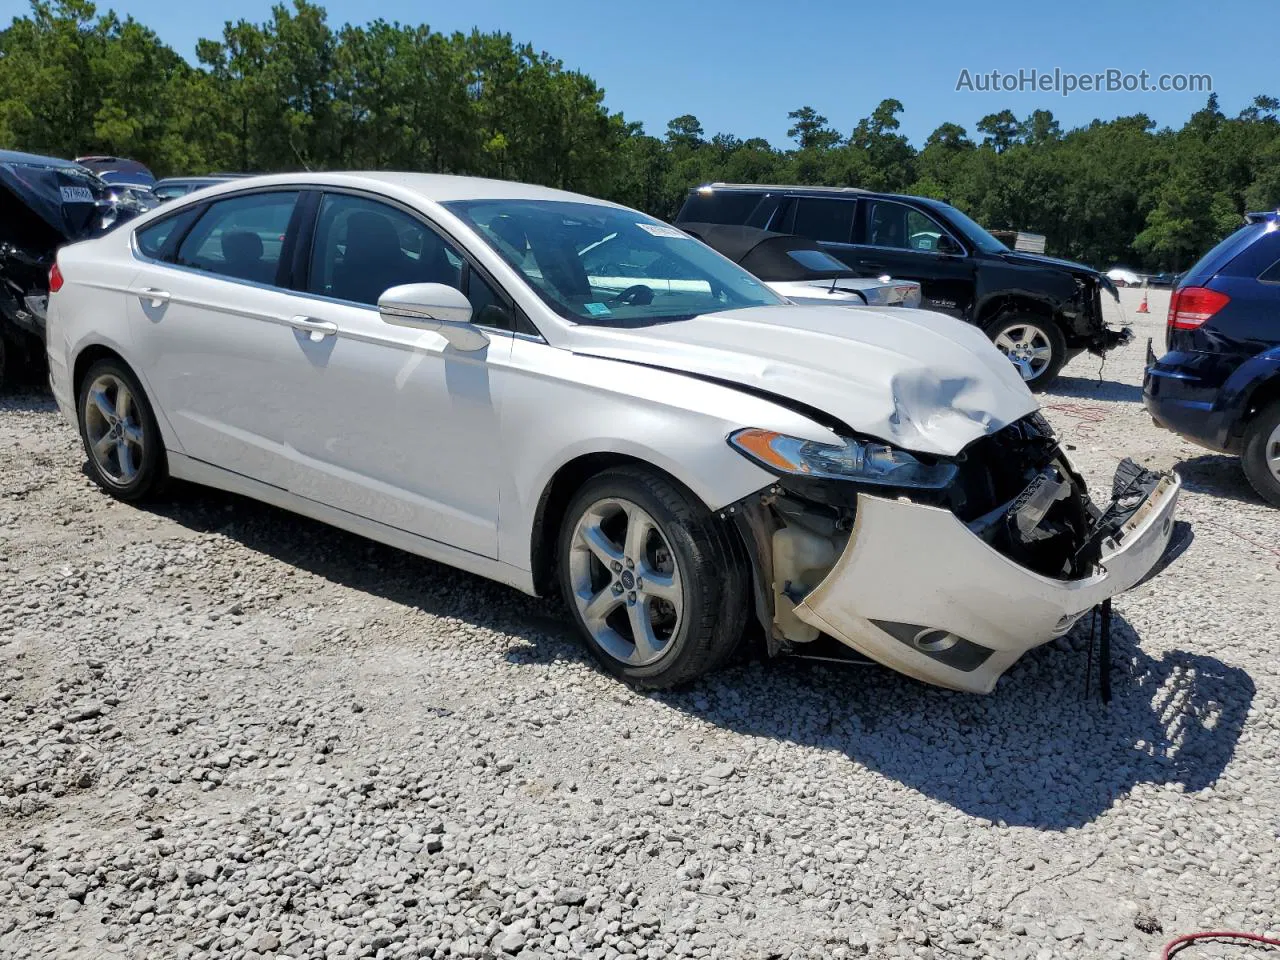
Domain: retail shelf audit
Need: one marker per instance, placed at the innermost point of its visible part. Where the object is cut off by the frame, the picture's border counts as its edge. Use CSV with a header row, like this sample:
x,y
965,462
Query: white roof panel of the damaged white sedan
x,y
442,189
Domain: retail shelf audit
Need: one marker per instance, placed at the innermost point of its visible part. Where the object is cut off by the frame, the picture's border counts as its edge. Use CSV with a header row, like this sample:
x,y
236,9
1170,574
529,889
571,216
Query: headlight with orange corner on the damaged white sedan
x,y
865,461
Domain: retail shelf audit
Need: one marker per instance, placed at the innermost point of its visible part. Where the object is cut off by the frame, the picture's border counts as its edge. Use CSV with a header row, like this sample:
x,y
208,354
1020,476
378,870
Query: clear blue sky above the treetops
x,y
740,67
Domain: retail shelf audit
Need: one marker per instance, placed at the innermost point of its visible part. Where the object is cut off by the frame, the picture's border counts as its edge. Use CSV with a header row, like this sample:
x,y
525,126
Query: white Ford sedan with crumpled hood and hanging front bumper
x,y
467,371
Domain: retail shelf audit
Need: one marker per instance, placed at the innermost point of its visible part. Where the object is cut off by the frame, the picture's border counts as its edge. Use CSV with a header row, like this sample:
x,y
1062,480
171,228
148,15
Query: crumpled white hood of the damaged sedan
x,y
920,381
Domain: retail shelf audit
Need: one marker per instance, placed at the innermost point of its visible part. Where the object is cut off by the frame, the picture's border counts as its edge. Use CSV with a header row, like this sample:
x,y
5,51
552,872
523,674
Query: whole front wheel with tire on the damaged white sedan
x,y
659,591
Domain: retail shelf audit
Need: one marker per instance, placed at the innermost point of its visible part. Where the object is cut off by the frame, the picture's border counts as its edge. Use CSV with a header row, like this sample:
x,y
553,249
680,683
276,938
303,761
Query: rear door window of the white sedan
x,y
241,237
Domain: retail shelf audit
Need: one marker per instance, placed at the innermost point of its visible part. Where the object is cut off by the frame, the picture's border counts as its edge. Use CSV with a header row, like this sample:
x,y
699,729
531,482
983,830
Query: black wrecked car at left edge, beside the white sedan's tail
x,y
44,204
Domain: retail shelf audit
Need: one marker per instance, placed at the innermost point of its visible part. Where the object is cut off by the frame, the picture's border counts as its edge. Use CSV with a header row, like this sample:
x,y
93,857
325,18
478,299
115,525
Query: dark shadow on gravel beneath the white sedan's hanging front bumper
x,y
1037,753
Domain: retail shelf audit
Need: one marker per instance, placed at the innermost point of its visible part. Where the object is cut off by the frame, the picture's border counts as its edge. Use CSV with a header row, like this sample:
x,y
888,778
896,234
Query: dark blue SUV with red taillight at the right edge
x,y
1219,385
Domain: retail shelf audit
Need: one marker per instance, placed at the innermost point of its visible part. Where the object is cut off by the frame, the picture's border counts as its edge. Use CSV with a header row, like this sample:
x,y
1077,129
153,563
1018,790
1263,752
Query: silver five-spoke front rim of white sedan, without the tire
x,y
627,583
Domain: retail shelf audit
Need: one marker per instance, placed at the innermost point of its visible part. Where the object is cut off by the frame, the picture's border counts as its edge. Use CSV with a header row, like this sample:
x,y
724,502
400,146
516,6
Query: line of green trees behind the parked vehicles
x,y
296,93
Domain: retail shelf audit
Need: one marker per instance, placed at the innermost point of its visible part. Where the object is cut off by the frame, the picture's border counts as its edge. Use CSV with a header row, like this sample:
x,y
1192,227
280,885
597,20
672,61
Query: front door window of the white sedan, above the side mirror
x,y
364,248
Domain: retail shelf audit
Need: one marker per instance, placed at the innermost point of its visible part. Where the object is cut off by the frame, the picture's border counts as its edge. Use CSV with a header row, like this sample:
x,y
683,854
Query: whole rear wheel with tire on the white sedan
x,y
120,432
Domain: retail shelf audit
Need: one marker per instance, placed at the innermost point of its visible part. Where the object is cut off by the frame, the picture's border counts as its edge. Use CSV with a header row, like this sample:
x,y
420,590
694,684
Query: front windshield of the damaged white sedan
x,y
609,267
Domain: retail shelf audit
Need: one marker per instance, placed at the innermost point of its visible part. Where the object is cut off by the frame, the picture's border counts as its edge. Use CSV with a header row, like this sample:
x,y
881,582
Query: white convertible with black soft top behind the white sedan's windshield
x,y
802,271
